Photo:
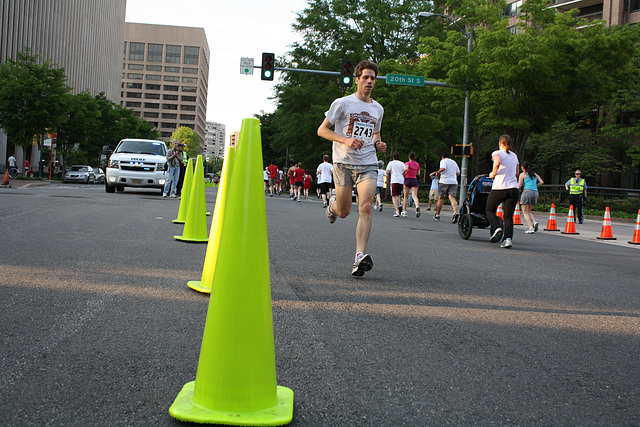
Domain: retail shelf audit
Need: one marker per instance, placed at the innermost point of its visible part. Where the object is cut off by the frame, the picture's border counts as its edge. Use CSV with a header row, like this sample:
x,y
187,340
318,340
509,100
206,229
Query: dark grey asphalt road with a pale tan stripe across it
x,y
98,327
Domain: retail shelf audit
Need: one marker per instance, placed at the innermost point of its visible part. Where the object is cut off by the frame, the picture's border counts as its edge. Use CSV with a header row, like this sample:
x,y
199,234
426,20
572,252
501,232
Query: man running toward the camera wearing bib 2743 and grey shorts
x,y
358,120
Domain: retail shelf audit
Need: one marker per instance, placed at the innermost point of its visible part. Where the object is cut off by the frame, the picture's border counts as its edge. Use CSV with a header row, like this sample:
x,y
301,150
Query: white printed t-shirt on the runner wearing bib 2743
x,y
354,118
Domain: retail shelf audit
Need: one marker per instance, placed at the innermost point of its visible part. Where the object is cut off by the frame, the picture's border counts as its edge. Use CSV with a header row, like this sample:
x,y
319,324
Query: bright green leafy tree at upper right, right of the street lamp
x,y
553,66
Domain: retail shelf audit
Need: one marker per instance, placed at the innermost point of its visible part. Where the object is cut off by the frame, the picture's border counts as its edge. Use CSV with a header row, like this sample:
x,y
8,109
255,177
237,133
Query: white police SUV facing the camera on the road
x,y
136,163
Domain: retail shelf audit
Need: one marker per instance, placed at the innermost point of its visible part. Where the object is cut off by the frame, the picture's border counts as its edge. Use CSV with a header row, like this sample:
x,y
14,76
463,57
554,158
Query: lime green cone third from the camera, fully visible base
x,y
195,226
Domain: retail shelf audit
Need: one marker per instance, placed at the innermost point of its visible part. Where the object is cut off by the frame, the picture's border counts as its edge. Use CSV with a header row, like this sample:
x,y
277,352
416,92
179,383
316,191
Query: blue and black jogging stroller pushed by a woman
x,y
473,212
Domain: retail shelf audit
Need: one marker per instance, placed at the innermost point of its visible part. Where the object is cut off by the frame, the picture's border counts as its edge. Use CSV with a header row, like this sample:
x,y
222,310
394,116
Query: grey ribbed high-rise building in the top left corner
x,y
83,37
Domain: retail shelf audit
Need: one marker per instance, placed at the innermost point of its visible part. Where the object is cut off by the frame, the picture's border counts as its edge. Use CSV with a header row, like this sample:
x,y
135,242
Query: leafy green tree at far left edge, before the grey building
x,y
33,96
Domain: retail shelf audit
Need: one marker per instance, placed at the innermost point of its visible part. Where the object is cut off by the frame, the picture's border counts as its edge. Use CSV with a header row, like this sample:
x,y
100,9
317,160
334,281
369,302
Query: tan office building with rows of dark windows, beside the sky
x,y
165,76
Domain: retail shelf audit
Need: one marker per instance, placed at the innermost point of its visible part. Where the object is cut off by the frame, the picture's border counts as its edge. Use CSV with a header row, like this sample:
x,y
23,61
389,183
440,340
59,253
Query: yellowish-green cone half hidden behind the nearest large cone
x,y
213,247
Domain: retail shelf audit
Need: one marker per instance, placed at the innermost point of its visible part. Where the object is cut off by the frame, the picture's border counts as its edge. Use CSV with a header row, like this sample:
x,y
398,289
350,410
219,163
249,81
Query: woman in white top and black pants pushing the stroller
x,y
504,190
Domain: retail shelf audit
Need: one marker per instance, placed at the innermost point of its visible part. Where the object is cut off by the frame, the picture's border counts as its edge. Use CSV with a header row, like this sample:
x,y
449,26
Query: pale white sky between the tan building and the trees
x,y
234,29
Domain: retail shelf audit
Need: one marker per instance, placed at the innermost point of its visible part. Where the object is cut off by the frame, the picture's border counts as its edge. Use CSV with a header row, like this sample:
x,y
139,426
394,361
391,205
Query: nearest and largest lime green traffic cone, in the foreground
x,y
236,379
